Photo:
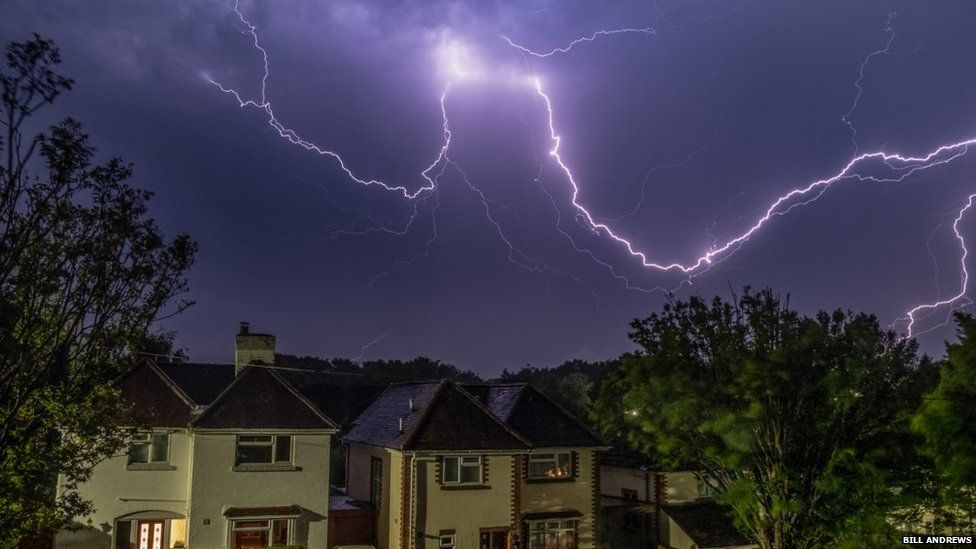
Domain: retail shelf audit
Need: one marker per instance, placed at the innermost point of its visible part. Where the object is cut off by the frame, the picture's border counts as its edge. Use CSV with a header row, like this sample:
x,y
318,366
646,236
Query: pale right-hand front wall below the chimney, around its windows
x,y
216,486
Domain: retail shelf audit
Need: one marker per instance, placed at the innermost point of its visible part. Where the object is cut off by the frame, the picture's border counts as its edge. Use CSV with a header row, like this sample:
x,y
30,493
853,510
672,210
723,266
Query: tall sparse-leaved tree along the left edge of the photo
x,y
83,273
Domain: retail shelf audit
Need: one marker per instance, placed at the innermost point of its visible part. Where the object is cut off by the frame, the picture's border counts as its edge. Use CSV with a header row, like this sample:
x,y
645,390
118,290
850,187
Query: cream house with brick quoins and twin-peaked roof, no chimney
x,y
448,466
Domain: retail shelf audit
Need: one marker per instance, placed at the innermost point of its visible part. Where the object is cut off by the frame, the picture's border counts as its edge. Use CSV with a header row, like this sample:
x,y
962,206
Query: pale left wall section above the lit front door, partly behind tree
x,y
117,491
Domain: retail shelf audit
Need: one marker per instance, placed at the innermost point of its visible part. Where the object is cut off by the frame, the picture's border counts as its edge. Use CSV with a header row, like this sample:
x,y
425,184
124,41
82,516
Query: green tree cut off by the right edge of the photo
x,y
946,420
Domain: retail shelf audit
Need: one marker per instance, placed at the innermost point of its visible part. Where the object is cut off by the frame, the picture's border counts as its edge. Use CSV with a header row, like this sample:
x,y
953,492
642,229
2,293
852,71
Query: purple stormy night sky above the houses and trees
x,y
711,112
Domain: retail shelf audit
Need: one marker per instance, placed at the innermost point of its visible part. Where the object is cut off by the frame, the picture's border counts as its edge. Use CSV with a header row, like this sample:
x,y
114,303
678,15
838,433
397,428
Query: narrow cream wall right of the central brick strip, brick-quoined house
x,y
577,495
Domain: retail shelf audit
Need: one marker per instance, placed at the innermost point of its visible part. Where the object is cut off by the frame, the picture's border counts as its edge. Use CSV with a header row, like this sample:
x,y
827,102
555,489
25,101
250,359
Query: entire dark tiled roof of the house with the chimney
x,y
210,396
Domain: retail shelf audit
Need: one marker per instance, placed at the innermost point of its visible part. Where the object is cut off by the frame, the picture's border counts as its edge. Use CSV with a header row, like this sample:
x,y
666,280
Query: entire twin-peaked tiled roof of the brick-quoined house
x,y
447,416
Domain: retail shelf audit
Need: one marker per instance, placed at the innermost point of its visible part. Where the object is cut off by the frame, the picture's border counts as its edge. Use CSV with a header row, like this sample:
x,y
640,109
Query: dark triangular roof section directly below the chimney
x,y
259,398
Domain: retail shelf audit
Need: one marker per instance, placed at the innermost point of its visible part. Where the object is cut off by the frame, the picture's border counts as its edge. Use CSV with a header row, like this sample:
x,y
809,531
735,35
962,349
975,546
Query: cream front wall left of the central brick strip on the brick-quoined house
x,y
464,511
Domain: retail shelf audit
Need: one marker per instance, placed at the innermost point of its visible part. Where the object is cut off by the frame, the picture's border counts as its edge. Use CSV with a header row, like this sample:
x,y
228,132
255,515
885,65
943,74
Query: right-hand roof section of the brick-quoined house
x,y
535,416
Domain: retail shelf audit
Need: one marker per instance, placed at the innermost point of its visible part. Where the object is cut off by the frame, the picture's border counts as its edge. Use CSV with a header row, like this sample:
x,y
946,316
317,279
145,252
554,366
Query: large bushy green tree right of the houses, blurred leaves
x,y
799,423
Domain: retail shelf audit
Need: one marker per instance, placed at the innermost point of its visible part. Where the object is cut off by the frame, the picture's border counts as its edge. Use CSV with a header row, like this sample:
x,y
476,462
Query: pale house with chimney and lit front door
x,y
229,455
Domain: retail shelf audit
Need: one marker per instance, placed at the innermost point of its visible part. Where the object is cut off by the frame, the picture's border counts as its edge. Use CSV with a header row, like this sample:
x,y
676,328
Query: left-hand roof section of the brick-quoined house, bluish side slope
x,y
443,417
